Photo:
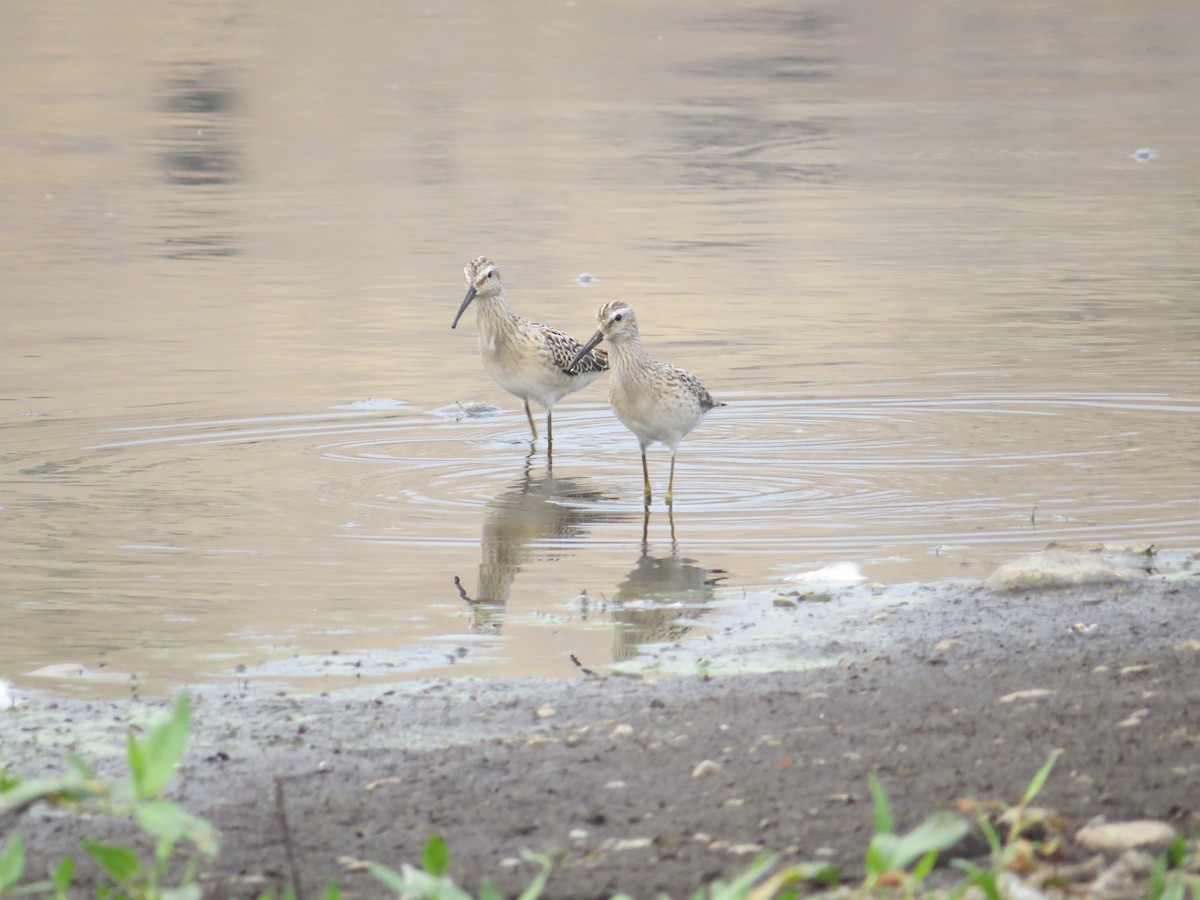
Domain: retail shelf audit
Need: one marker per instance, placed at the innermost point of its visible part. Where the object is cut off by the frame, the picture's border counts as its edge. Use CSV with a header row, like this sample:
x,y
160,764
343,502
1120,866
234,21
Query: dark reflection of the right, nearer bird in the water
x,y
661,598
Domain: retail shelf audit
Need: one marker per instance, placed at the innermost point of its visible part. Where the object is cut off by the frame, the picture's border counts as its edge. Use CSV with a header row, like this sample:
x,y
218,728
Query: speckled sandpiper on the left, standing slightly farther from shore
x,y
529,361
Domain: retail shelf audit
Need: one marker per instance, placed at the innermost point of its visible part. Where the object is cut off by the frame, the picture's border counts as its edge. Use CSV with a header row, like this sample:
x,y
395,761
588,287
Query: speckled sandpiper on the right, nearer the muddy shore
x,y
657,401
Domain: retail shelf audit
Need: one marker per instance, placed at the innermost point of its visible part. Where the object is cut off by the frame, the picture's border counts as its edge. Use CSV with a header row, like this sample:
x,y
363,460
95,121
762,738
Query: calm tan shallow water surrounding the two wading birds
x,y
953,315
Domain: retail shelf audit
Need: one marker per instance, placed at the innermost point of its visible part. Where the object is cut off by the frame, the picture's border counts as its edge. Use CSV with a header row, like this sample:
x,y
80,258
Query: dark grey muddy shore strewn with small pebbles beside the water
x,y
925,686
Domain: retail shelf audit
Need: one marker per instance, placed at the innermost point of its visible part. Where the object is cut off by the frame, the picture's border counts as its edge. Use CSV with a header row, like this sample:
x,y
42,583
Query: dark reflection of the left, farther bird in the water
x,y
533,509
